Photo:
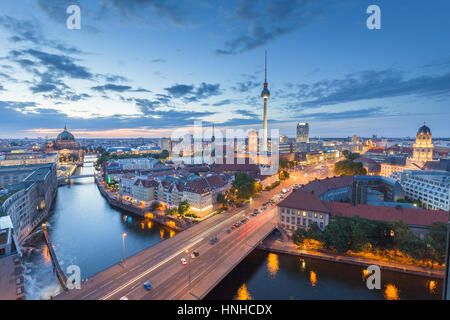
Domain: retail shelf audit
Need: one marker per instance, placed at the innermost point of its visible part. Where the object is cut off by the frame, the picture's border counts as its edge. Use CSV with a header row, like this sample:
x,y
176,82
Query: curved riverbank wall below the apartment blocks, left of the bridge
x,y
164,220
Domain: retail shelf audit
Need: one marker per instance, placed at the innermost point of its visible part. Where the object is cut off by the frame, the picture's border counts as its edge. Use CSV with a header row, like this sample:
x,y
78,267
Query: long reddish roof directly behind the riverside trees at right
x,y
410,216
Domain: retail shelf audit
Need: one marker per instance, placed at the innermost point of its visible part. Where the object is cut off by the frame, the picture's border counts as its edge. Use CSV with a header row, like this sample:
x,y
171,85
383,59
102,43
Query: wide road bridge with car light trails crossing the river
x,y
161,264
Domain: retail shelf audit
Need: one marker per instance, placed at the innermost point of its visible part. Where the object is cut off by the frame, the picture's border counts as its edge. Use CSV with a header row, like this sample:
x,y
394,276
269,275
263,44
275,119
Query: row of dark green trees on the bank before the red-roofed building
x,y
362,235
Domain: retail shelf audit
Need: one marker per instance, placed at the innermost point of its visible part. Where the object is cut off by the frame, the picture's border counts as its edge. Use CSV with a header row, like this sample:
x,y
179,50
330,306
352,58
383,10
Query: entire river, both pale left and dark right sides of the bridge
x,y
87,232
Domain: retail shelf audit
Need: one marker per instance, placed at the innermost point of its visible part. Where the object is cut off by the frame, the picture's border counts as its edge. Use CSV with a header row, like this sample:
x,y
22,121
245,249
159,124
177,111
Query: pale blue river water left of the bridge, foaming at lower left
x,y
87,232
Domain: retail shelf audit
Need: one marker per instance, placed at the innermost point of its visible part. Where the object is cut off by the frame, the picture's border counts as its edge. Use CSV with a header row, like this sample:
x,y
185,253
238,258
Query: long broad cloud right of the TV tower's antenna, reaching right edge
x,y
371,84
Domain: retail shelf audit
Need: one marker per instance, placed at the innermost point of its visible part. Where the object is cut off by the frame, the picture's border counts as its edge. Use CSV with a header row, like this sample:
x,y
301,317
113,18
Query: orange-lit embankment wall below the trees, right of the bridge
x,y
276,246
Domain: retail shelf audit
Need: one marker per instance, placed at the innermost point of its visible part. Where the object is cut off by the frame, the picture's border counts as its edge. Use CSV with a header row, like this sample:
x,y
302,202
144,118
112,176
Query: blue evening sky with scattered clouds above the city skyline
x,y
143,68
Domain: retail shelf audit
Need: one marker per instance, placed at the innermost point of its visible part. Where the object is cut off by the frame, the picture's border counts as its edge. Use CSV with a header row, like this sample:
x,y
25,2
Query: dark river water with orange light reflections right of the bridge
x,y
264,275
